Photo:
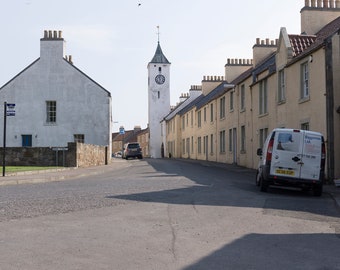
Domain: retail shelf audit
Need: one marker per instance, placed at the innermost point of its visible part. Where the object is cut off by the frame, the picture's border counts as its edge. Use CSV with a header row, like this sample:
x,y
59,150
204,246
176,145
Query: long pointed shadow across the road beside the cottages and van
x,y
223,189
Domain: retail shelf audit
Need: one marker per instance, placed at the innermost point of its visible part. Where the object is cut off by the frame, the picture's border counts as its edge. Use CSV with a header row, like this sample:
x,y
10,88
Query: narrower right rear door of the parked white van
x,y
311,156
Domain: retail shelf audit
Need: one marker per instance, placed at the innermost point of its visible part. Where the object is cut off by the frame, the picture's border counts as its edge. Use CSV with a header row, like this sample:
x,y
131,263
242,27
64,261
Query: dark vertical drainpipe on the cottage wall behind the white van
x,y
329,107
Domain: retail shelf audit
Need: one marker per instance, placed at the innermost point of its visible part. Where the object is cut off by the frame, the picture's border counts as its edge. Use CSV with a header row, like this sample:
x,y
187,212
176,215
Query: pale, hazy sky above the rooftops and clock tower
x,y
113,41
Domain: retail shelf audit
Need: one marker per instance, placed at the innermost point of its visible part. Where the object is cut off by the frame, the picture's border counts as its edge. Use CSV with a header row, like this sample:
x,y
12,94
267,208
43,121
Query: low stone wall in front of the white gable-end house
x,y
74,155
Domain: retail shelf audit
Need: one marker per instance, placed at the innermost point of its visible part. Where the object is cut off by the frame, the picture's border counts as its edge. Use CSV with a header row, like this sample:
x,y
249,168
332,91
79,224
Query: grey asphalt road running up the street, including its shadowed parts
x,y
166,214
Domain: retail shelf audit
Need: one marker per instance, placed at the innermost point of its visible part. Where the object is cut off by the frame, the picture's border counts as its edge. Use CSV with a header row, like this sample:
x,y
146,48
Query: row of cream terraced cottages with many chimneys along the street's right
x,y
292,82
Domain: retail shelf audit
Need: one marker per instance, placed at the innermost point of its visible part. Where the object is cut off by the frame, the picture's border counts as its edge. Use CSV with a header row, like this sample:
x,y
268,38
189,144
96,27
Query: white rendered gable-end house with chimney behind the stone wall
x,y
55,102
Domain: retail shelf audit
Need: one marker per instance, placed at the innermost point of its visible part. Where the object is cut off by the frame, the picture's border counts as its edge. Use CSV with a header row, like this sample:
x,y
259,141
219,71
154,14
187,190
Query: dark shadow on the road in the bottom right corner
x,y
269,251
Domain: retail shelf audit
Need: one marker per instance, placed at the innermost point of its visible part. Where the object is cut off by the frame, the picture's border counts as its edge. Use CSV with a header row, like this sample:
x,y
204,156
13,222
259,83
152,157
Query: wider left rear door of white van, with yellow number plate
x,y
287,153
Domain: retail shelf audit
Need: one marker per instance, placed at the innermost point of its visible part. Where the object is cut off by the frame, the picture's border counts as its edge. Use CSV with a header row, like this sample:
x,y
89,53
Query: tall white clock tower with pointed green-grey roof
x,y
159,99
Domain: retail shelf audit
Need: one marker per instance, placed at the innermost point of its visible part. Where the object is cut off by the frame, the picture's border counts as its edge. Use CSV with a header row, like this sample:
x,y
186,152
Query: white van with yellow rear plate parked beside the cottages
x,y
292,157
